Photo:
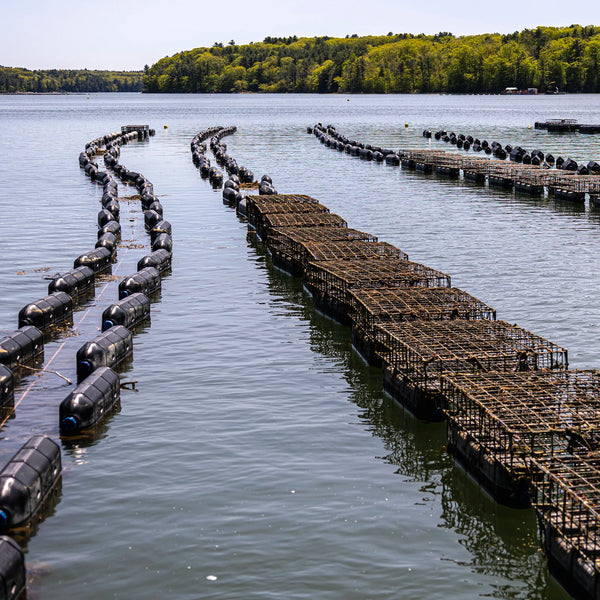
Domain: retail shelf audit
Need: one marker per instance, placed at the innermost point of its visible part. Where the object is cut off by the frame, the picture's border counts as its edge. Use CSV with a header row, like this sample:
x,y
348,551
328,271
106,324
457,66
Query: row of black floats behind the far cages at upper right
x,y
513,153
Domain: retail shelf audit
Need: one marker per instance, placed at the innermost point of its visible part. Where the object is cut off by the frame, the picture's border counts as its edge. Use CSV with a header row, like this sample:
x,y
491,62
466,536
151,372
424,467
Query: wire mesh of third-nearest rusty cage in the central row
x,y
424,351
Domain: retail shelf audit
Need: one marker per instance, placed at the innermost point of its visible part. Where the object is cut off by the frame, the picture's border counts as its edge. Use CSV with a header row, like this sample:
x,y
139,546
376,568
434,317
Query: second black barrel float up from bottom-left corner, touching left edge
x,y
27,479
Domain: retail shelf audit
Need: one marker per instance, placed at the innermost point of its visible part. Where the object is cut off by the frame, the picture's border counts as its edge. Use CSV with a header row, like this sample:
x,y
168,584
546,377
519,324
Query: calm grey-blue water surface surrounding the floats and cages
x,y
259,457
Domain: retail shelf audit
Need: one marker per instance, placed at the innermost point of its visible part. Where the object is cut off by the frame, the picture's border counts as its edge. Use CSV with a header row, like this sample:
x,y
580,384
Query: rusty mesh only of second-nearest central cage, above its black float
x,y
535,414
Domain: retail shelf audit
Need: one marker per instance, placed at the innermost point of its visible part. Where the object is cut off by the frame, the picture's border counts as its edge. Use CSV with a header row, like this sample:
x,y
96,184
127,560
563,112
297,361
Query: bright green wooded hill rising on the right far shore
x,y
566,58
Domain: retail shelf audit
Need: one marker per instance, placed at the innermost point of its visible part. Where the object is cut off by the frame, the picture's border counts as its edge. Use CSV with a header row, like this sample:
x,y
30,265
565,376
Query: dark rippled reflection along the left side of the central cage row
x,y
502,542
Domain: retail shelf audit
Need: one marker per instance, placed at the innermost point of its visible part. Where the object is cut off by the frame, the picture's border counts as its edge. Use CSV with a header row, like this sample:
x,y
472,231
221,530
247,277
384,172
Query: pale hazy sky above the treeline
x,y
127,34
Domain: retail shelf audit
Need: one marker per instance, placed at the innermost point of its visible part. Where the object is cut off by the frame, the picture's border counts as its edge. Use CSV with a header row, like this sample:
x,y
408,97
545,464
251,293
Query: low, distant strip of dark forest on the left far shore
x,y
16,80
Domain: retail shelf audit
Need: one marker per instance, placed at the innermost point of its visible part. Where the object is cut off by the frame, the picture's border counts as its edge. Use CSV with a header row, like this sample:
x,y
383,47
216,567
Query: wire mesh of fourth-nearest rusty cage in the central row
x,y
381,305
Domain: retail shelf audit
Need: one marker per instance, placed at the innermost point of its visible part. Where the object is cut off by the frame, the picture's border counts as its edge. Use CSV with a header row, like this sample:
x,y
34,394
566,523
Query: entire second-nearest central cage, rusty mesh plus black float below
x,y
514,421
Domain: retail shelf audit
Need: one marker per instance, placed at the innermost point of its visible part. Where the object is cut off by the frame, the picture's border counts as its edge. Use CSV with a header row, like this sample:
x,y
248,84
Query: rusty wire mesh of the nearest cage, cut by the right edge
x,y
567,500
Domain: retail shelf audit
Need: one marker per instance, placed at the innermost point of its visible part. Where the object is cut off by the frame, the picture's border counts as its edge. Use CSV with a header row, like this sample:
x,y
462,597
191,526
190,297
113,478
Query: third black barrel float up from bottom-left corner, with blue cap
x,y
89,402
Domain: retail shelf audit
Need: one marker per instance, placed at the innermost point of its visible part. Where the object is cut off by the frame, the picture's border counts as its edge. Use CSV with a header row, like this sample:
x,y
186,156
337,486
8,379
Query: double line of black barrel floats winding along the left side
x,y
34,472
